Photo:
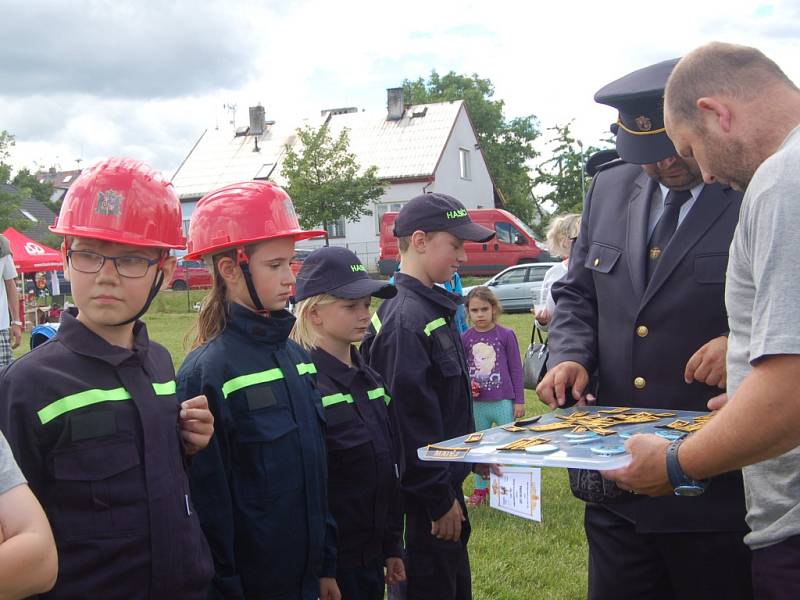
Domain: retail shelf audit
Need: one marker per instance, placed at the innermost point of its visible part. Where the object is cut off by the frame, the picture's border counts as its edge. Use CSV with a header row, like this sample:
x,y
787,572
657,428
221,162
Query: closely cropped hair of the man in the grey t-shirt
x,y
720,69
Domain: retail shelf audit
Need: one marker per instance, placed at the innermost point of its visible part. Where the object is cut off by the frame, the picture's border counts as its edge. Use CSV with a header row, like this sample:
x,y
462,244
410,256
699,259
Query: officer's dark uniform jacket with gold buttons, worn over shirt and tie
x,y
639,337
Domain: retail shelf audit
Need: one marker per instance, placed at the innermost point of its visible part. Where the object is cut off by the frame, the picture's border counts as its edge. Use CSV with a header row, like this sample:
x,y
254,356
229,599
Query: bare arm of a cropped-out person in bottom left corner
x,y
28,560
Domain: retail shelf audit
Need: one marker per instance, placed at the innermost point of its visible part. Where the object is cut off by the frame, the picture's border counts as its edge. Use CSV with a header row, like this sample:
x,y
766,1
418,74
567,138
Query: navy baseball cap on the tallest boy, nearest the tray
x,y
439,212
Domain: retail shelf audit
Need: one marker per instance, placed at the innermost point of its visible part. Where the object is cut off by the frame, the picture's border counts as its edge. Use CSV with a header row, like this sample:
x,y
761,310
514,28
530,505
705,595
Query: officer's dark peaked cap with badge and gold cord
x,y
639,98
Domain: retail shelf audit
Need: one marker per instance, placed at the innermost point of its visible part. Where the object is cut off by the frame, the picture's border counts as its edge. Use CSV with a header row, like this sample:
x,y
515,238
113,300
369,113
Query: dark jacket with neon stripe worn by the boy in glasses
x,y
94,428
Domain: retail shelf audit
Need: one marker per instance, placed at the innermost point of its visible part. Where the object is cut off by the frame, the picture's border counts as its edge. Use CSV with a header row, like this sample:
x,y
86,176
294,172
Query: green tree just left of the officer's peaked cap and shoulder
x,y
561,180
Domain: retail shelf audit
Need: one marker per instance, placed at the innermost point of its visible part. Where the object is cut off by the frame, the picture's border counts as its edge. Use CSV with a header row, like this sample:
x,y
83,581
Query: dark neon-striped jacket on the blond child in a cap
x,y
363,460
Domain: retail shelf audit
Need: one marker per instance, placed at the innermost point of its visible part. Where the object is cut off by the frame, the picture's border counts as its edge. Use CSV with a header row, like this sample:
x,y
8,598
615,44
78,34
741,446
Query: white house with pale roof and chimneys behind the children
x,y
416,148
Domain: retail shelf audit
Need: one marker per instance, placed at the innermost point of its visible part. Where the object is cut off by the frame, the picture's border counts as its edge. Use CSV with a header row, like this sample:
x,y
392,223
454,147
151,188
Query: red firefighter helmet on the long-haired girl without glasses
x,y
240,214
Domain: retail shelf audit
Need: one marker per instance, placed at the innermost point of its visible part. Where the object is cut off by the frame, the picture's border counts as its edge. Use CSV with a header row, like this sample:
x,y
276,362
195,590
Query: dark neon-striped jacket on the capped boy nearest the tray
x,y
414,344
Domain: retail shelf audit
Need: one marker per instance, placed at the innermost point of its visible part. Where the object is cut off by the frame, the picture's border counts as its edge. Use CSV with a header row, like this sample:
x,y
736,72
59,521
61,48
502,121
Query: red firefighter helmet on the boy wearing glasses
x,y
122,200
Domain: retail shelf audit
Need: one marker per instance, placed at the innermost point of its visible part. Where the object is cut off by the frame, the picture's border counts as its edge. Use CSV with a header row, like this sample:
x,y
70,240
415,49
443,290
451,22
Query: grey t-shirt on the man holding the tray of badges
x,y
762,295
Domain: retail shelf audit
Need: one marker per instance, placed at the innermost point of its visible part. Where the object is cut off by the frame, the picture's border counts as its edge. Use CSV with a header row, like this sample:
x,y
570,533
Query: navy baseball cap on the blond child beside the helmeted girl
x,y
337,271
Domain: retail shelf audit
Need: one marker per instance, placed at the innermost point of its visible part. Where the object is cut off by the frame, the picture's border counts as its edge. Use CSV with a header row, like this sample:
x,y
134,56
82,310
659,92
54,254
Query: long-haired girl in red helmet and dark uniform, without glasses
x,y
260,486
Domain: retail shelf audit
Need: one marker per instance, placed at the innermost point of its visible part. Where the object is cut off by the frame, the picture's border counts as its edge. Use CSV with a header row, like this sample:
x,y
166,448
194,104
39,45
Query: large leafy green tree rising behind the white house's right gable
x,y
507,145
